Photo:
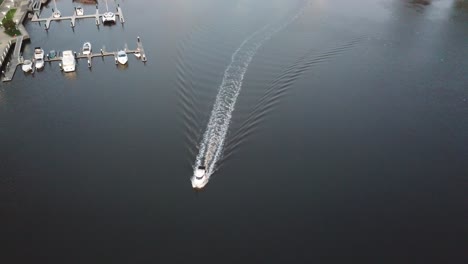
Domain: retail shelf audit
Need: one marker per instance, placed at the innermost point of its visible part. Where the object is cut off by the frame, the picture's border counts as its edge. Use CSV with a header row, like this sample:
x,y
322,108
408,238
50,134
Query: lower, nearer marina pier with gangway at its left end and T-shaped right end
x,y
16,58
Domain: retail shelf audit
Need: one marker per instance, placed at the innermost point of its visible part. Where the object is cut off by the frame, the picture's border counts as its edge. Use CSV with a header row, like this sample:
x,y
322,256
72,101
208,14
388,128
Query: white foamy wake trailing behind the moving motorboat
x,y
212,143
